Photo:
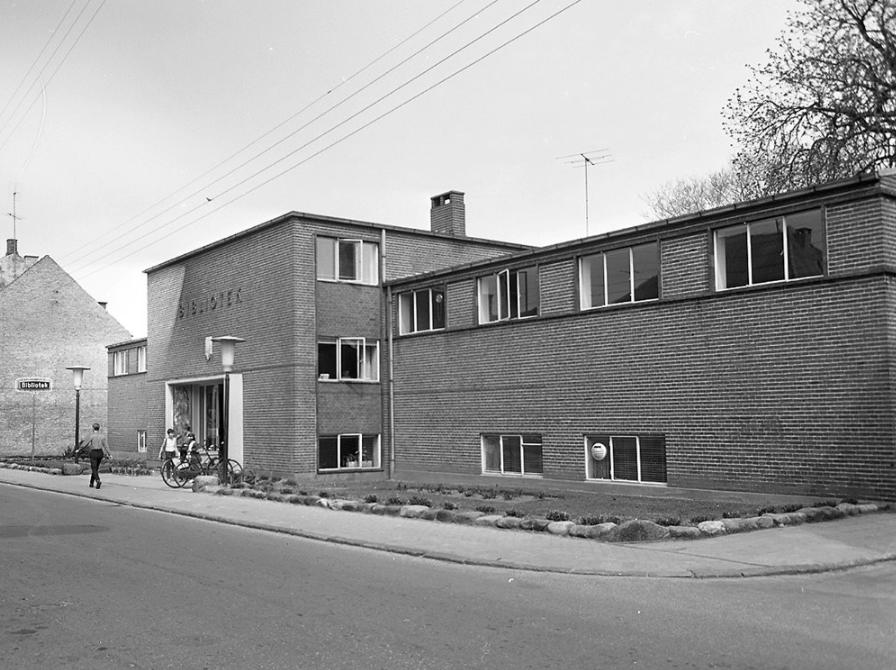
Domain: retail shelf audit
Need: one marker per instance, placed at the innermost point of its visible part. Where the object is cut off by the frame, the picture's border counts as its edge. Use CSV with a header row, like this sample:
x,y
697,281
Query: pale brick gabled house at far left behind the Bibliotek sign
x,y
48,323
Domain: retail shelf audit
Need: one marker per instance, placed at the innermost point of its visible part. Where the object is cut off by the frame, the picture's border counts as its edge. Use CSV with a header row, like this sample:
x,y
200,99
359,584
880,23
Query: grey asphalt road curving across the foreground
x,y
96,585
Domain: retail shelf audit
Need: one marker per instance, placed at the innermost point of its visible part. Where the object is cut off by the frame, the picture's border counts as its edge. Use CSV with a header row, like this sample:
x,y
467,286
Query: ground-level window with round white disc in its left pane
x,y
635,458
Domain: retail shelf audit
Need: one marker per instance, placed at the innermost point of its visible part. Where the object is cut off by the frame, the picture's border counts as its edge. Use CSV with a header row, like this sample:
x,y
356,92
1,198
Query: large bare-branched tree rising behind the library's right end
x,y
823,106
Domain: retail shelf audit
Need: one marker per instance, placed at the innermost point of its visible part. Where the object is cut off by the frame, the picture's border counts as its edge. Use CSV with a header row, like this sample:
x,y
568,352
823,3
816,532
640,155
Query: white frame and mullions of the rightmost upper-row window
x,y
720,262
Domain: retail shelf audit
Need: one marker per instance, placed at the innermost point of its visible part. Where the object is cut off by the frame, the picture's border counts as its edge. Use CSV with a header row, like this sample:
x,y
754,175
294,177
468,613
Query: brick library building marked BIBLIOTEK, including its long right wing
x,y
748,347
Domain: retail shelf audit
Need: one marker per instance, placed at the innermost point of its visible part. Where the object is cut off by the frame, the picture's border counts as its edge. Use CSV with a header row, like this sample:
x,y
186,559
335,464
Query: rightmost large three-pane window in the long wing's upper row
x,y
770,250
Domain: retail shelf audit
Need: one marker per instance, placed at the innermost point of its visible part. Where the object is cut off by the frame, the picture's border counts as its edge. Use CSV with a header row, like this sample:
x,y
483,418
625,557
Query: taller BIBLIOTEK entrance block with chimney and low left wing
x,y
307,393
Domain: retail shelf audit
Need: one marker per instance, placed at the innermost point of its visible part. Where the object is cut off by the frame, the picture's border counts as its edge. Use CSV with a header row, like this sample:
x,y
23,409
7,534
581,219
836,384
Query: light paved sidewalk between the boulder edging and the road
x,y
816,547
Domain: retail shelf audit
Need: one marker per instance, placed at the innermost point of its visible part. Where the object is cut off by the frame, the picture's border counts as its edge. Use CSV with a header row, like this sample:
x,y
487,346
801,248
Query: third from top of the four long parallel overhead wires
x,y
83,260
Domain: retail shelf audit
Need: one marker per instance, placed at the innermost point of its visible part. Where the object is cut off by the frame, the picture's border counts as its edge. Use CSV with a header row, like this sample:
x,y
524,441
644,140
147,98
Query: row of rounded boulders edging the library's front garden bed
x,y
634,530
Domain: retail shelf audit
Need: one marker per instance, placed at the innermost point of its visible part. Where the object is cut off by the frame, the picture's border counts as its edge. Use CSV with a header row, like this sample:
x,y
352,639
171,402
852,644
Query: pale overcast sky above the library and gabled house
x,y
132,132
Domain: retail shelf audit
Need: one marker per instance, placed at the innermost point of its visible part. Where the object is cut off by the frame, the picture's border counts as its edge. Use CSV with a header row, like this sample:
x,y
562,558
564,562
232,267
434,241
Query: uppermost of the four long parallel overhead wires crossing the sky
x,y
258,139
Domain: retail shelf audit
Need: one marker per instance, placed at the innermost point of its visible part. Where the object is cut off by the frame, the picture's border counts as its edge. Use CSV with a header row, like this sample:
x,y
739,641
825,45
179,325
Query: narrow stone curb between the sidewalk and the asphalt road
x,y
462,560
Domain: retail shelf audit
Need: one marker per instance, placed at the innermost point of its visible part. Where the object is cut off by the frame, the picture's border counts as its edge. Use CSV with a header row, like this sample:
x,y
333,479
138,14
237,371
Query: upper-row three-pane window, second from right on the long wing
x,y
619,276
